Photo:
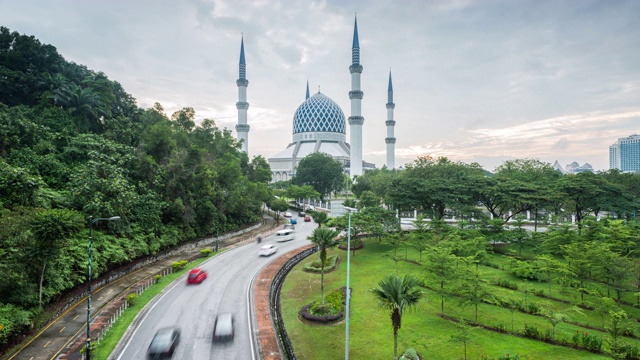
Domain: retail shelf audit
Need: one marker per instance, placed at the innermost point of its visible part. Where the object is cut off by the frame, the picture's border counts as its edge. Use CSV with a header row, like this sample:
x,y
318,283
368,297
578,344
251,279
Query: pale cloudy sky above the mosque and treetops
x,y
474,80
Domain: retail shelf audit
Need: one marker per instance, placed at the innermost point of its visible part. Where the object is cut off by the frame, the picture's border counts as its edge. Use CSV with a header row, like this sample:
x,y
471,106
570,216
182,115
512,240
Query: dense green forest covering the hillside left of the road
x,y
74,144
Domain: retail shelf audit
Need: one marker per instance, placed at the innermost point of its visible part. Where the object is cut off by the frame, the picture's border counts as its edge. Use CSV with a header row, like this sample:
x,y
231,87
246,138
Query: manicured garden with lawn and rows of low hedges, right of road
x,y
516,316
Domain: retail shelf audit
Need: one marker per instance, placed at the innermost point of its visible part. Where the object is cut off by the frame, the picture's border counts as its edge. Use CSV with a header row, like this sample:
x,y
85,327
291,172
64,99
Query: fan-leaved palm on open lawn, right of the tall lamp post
x,y
397,295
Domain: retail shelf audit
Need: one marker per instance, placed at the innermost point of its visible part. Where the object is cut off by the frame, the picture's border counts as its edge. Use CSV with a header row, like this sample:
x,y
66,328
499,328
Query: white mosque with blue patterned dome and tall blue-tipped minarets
x,y
319,125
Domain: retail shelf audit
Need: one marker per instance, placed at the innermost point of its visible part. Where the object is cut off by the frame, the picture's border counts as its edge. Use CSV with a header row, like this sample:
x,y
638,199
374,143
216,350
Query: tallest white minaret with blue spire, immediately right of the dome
x,y
355,95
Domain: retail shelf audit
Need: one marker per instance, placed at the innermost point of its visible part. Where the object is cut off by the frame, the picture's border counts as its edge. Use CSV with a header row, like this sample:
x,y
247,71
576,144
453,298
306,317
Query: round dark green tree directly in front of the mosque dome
x,y
320,171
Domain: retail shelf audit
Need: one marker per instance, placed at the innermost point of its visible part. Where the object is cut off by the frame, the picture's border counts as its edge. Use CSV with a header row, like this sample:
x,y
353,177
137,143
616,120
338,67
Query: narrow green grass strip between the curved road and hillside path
x,y
120,326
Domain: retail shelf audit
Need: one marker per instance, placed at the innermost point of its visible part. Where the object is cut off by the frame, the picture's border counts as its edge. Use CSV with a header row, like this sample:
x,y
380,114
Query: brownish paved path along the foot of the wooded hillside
x,y
66,335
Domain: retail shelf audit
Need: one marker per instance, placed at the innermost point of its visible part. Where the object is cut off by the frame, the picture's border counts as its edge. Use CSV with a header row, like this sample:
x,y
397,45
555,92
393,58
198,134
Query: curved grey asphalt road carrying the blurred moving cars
x,y
193,308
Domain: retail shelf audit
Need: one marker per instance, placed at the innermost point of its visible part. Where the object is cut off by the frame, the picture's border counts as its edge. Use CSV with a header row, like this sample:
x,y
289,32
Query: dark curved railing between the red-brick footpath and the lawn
x,y
274,301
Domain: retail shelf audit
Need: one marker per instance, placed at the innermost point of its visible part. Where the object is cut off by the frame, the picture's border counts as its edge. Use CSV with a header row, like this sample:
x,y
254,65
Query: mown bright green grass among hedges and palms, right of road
x,y
371,335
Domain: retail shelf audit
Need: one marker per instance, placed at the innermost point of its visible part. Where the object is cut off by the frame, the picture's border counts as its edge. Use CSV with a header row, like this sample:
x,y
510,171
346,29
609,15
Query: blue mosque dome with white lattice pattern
x,y
319,113
